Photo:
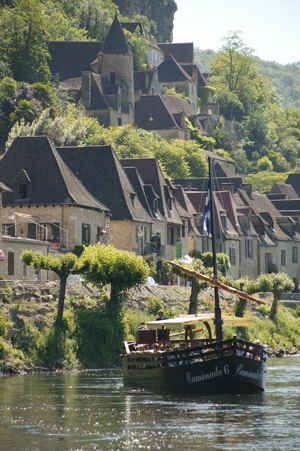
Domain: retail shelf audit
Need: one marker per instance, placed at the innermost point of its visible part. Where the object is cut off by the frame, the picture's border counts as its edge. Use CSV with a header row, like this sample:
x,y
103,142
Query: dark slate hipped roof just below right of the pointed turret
x,y
151,113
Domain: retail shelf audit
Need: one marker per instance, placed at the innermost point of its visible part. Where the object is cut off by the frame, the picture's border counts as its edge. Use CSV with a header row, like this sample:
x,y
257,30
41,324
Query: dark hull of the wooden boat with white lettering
x,y
230,374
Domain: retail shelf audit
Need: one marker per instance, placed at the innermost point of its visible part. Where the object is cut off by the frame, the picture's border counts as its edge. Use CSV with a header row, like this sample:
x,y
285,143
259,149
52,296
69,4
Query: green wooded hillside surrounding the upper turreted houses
x,y
255,129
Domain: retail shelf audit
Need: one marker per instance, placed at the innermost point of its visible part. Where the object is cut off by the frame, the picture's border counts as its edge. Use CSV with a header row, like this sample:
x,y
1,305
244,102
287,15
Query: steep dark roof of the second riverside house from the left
x,y
102,174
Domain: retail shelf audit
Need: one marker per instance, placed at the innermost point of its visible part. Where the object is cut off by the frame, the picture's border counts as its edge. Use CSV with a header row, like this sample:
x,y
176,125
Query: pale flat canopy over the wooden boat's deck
x,y
189,320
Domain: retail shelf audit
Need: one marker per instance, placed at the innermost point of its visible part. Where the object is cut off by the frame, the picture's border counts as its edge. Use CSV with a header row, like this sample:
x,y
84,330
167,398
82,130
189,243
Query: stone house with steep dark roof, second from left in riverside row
x,y
101,173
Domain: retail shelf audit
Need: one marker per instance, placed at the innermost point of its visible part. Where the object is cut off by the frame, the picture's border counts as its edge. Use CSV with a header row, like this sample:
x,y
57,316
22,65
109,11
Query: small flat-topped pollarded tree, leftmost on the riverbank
x,y
62,265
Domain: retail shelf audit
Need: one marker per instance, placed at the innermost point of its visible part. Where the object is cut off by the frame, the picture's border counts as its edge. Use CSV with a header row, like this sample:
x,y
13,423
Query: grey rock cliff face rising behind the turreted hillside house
x,y
160,11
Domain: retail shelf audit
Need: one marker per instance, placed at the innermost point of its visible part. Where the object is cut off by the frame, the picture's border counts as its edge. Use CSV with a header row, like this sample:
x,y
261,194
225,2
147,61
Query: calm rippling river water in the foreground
x,y
95,411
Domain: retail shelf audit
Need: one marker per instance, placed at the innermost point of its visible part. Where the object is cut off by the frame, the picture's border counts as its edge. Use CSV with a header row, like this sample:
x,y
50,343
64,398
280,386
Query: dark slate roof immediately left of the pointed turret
x,y
70,58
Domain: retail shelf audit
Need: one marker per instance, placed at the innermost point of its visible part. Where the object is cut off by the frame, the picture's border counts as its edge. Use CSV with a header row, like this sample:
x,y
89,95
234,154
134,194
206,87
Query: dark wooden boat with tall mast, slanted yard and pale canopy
x,y
205,366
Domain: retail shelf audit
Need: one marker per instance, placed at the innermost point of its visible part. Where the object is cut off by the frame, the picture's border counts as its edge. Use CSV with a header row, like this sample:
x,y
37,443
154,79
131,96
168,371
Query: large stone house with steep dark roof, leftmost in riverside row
x,y
47,202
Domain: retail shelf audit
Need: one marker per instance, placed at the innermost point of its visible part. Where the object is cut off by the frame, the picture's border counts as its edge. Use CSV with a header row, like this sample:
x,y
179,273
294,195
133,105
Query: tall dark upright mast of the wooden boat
x,y
218,314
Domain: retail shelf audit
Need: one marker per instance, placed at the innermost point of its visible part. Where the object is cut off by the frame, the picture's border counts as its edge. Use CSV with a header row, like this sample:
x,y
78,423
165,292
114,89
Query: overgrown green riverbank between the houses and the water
x,y
30,343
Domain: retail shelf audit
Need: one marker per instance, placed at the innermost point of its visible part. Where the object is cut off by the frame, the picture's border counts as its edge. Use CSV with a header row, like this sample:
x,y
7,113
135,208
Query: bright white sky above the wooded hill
x,y
270,27
